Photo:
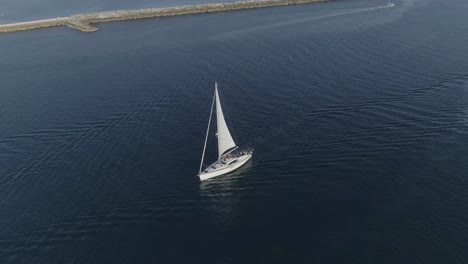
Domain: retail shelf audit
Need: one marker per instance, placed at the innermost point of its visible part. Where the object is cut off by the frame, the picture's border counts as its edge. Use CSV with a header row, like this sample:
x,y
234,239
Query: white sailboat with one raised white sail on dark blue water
x,y
230,156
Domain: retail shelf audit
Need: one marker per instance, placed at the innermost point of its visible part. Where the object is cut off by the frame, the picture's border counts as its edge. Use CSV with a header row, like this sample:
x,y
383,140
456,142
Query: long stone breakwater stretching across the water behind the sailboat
x,y
83,22
